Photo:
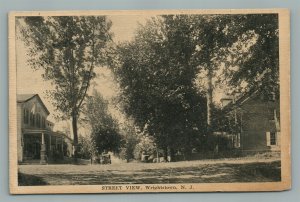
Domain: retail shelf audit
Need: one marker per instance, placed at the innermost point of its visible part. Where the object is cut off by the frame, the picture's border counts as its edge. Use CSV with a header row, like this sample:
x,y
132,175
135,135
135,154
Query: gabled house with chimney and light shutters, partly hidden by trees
x,y
256,119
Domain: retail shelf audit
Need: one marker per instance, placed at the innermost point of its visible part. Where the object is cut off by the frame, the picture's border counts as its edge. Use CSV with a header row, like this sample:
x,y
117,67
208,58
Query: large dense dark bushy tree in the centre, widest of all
x,y
156,78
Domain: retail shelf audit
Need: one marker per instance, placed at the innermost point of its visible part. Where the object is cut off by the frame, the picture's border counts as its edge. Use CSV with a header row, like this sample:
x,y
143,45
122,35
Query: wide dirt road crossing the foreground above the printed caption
x,y
226,170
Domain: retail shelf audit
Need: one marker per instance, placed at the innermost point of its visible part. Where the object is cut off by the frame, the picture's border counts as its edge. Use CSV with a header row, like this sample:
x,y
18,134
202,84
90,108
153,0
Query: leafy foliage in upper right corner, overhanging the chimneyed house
x,y
258,67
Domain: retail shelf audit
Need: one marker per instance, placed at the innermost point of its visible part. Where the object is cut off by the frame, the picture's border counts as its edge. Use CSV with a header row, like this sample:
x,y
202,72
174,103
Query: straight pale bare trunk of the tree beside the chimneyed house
x,y
209,99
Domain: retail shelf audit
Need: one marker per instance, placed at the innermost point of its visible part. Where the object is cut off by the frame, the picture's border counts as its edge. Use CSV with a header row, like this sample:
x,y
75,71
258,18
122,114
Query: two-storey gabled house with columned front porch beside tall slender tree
x,y
35,136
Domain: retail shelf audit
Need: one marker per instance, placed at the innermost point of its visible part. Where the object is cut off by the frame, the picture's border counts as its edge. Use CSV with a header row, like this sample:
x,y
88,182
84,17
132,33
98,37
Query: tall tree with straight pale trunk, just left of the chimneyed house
x,y
211,36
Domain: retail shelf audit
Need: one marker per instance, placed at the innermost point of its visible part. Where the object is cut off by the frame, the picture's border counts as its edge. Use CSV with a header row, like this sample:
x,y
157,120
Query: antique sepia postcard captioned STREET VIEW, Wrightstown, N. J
x,y
149,101
